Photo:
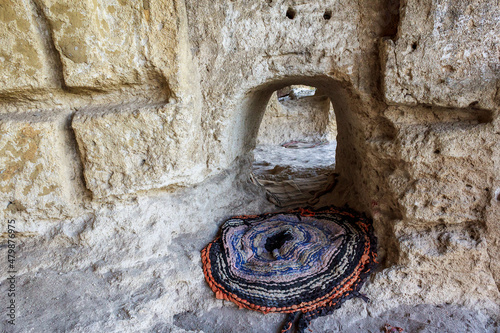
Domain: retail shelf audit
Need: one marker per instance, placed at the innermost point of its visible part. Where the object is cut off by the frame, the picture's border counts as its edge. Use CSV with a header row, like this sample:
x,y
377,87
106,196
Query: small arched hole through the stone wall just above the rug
x,y
294,157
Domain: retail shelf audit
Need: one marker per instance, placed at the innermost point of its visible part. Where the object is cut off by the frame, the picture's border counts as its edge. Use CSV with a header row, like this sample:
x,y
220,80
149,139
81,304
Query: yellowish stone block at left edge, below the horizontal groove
x,y
33,173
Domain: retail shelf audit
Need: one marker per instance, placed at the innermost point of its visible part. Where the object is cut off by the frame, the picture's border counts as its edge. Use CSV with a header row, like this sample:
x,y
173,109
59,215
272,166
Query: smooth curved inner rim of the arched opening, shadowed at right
x,y
346,106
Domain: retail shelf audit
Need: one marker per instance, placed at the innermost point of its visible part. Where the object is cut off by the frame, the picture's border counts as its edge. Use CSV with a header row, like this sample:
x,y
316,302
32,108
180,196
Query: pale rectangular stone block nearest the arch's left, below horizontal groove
x,y
125,151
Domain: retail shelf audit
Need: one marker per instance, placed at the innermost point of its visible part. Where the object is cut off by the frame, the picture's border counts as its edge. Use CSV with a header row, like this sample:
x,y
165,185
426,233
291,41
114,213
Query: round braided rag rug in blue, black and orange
x,y
305,263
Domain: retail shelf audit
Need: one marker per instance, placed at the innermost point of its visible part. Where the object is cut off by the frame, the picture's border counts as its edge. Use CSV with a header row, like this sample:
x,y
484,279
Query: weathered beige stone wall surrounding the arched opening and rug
x,y
127,128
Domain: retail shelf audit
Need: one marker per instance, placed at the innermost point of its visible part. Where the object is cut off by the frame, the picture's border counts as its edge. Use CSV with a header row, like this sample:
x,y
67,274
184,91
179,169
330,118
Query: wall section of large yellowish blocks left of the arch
x,y
71,72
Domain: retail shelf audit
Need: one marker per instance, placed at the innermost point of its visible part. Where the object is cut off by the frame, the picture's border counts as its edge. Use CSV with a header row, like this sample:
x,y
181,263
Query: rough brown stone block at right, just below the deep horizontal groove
x,y
444,176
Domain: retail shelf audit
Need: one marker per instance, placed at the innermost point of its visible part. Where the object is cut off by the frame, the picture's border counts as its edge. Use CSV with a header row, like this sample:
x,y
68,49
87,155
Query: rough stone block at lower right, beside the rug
x,y
437,265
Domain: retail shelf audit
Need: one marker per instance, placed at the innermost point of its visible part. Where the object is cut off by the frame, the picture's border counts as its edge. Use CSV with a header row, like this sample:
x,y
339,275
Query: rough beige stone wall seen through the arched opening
x,y
307,118
